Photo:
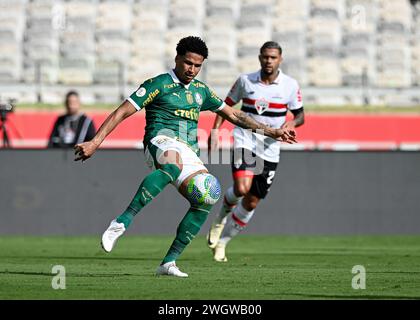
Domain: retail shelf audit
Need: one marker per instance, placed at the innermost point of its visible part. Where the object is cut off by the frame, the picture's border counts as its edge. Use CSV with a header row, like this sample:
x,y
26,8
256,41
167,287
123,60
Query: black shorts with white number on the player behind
x,y
246,164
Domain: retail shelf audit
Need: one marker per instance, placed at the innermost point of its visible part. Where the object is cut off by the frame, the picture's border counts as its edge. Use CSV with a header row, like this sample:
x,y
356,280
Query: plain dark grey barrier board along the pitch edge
x,y
45,192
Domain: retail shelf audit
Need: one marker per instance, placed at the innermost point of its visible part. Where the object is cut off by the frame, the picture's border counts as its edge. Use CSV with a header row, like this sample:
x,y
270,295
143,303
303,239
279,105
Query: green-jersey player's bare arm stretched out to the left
x,y
84,151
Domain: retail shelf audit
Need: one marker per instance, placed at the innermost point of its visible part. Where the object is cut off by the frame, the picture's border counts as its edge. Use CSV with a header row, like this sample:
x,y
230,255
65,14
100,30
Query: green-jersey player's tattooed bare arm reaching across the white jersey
x,y
242,120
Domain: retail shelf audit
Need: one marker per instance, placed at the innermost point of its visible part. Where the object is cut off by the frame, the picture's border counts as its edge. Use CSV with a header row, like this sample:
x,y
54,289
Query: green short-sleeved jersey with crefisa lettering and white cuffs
x,y
173,108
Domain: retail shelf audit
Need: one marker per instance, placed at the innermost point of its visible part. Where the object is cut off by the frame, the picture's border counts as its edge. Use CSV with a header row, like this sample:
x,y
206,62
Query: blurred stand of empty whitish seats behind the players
x,y
342,44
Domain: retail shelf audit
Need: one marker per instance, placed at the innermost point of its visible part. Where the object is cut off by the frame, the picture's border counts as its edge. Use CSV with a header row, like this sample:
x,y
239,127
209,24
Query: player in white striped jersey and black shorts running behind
x,y
266,97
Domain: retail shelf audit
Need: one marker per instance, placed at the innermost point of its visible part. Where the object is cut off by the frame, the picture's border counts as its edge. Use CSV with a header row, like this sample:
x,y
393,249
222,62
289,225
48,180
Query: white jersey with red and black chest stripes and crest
x,y
267,104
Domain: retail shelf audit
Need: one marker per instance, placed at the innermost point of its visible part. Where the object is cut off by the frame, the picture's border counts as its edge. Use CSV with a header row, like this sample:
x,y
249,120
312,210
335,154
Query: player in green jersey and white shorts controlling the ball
x,y
172,102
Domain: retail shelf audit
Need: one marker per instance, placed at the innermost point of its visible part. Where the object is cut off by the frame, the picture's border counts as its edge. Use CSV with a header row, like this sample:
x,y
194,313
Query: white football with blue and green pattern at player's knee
x,y
204,188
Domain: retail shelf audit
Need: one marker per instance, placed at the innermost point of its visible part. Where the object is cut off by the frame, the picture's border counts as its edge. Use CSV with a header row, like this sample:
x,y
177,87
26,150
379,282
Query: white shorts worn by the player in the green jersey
x,y
191,163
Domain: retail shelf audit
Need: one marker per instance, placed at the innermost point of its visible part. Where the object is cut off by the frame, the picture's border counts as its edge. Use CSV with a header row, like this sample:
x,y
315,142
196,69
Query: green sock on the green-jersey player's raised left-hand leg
x,y
150,187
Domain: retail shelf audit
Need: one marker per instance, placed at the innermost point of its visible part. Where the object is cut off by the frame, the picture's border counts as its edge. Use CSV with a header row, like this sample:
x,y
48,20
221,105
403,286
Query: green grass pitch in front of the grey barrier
x,y
259,267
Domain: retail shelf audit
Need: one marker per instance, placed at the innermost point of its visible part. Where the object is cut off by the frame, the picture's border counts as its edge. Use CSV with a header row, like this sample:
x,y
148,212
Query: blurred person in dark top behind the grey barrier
x,y
73,127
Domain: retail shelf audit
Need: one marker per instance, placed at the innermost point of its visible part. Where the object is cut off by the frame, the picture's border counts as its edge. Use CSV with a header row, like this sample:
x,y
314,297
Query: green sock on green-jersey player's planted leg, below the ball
x,y
187,230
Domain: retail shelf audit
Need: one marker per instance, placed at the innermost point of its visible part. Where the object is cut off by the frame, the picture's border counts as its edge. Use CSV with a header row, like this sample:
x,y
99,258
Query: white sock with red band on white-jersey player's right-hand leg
x,y
235,223
